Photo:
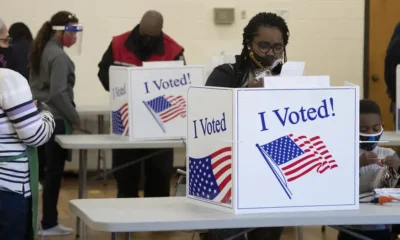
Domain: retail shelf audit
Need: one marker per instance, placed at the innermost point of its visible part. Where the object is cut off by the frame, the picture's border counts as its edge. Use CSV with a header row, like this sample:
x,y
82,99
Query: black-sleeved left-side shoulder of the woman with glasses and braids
x,y
221,76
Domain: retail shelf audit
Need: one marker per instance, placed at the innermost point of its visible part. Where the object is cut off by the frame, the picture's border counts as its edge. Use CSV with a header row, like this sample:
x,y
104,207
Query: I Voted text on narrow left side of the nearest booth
x,y
207,126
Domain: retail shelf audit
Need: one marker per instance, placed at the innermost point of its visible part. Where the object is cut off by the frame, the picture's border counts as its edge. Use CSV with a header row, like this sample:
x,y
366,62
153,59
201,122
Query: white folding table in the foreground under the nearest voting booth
x,y
176,214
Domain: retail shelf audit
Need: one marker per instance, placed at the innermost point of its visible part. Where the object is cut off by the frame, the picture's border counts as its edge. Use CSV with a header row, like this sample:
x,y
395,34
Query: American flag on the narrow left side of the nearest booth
x,y
210,177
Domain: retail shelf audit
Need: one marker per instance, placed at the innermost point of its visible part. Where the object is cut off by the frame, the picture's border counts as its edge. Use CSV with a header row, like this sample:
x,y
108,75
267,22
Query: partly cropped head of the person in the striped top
x,y
7,55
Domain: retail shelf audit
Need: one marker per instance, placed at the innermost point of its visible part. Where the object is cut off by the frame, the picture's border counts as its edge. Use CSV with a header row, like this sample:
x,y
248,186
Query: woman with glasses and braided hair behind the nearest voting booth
x,y
264,51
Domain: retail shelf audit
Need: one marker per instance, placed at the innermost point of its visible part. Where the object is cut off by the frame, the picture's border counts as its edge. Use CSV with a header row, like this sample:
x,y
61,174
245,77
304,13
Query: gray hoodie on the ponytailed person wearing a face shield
x,y
56,81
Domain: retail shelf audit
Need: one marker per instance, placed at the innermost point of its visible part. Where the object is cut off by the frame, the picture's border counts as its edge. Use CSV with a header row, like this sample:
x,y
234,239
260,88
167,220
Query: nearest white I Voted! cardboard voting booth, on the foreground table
x,y
273,150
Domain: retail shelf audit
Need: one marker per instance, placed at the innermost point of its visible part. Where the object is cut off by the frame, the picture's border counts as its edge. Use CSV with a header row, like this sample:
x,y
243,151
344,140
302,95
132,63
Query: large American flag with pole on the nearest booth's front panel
x,y
291,158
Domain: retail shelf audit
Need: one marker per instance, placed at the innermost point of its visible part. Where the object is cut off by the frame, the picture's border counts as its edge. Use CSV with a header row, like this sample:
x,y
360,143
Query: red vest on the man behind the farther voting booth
x,y
124,56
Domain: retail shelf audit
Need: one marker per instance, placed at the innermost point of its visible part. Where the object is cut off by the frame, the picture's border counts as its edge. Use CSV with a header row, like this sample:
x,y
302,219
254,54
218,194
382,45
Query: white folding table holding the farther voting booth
x,y
96,141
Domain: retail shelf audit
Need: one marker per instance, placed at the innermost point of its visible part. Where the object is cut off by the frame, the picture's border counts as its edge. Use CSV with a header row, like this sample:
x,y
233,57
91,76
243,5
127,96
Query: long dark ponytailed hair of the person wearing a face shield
x,y
61,18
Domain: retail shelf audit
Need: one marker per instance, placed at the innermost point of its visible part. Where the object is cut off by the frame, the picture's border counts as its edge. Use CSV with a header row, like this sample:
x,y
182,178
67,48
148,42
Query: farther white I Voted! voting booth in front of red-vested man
x,y
150,102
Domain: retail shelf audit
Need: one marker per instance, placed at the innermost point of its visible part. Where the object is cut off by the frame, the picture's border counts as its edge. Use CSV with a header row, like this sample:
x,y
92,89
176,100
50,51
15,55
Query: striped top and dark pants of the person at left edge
x,y
23,128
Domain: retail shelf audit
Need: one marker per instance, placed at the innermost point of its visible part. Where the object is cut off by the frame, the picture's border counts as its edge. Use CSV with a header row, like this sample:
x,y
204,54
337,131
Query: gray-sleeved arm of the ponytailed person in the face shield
x,y
59,96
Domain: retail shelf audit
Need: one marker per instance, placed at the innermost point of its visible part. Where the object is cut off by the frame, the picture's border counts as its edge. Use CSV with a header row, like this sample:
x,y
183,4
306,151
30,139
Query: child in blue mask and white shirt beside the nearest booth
x,y
372,173
